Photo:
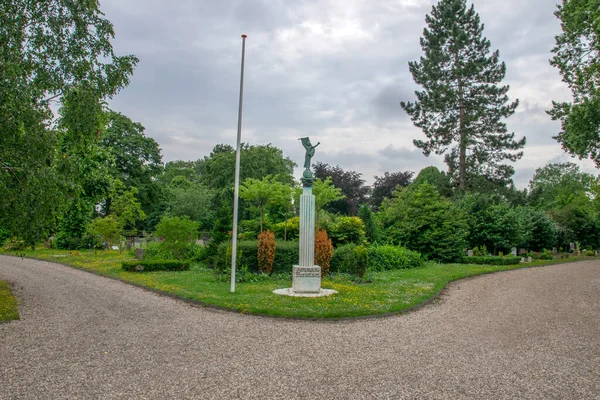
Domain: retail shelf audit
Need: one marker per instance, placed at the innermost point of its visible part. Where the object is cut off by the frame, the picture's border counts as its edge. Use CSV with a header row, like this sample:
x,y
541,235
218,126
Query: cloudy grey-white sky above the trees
x,y
334,70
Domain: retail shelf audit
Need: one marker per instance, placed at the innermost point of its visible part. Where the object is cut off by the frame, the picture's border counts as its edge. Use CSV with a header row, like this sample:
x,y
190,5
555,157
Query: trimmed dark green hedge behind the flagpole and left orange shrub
x,y
286,255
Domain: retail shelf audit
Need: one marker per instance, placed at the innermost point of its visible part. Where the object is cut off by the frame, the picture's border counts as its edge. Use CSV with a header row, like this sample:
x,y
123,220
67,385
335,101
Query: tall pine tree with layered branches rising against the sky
x,y
461,107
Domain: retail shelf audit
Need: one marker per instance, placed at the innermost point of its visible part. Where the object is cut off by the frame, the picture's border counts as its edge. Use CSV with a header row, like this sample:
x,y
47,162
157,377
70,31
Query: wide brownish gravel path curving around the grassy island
x,y
526,334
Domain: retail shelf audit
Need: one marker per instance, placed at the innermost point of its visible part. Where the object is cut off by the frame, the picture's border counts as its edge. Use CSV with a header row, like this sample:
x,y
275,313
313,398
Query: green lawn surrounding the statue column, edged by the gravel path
x,y
392,291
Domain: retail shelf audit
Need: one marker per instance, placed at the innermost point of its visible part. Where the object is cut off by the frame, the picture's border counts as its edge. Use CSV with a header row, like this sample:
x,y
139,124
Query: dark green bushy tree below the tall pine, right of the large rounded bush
x,y
492,222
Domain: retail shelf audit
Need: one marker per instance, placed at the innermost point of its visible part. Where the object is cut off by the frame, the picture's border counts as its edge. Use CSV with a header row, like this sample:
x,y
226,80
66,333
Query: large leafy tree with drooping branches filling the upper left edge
x,y
49,49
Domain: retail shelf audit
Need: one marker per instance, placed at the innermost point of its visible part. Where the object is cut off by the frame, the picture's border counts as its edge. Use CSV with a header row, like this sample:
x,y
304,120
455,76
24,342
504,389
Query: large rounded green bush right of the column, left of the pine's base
x,y
421,220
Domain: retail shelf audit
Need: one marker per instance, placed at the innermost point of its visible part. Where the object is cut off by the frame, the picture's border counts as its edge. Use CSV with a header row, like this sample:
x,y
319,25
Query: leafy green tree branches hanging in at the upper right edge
x,y
577,56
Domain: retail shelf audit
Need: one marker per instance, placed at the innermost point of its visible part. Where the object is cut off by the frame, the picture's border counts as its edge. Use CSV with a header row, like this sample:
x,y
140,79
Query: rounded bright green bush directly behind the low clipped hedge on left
x,y
177,232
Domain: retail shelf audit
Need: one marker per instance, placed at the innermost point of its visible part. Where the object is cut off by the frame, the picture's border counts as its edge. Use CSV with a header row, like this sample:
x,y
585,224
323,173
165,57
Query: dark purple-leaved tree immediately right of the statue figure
x,y
351,184
